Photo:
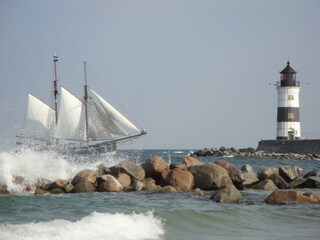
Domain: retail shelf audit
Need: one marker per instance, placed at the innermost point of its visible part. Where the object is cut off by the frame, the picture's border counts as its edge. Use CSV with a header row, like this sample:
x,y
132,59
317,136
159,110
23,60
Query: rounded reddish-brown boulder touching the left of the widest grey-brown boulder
x,y
182,179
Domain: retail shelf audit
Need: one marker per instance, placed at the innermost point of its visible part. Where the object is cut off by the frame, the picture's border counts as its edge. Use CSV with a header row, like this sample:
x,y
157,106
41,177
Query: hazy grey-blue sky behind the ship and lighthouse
x,y
193,73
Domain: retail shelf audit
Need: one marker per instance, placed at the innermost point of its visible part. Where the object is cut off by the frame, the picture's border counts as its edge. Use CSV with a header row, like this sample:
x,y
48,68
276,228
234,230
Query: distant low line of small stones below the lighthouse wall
x,y
251,153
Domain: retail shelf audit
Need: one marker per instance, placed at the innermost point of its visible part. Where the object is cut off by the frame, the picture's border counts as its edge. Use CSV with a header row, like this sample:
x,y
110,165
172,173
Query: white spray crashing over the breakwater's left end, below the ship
x,y
25,168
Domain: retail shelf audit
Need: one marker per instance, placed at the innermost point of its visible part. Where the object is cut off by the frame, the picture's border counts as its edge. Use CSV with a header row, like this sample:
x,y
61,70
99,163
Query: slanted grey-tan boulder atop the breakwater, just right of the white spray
x,y
130,168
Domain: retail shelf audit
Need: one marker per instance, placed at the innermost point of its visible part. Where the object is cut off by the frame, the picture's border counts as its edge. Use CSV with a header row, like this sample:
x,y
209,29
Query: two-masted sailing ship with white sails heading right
x,y
75,125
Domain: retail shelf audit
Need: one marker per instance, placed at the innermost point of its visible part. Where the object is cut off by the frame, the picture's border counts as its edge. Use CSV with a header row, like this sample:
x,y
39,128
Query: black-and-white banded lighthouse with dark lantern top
x,y
288,119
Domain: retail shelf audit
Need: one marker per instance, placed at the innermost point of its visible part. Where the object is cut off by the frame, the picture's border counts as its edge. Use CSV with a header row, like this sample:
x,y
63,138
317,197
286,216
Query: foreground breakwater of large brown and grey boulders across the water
x,y
219,180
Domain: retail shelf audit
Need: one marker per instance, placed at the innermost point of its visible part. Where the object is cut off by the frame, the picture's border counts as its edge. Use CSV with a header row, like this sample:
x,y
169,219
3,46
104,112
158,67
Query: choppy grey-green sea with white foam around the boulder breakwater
x,y
180,215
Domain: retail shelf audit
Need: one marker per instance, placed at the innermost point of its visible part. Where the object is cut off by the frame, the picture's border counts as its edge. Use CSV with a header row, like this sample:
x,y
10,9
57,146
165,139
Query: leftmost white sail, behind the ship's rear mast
x,y
39,122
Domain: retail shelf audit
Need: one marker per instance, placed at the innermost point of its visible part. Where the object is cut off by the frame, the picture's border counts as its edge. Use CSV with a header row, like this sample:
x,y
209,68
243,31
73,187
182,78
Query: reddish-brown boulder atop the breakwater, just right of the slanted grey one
x,y
153,168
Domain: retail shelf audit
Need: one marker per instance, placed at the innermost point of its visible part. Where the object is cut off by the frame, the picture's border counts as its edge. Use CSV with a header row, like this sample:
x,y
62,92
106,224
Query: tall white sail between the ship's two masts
x,y
71,117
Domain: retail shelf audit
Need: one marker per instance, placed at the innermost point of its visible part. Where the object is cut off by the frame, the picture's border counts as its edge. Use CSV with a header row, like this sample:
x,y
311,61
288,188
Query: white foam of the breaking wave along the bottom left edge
x,y
96,226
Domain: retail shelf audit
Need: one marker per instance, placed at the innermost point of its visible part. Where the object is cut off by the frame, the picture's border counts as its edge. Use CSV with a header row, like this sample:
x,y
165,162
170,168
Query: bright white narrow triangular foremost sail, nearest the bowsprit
x,y
114,114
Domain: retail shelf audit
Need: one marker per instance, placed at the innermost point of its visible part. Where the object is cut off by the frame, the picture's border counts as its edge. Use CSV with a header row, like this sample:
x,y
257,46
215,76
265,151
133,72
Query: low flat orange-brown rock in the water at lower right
x,y
287,197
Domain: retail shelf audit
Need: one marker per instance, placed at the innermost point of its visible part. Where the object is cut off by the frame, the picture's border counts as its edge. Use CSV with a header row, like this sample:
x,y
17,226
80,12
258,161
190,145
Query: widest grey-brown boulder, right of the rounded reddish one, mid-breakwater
x,y
210,177
